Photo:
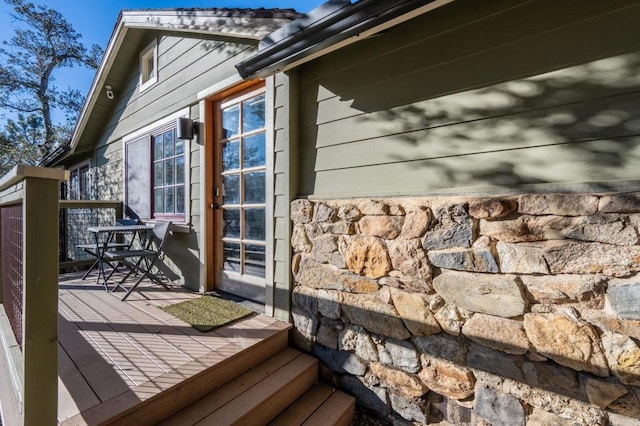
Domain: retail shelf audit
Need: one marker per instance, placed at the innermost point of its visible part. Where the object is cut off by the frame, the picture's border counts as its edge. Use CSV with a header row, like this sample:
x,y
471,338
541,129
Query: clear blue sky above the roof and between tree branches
x,y
95,20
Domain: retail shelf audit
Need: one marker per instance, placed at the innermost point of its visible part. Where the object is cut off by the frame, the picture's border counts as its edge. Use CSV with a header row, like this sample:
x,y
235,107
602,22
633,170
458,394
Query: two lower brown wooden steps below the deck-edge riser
x,y
282,390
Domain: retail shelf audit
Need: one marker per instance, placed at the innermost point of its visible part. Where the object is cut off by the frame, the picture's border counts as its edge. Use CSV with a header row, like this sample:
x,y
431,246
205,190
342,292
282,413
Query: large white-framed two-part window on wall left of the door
x,y
155,174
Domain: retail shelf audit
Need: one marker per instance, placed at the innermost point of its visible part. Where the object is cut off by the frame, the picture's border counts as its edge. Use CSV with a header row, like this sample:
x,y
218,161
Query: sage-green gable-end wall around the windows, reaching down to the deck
x,y
185,67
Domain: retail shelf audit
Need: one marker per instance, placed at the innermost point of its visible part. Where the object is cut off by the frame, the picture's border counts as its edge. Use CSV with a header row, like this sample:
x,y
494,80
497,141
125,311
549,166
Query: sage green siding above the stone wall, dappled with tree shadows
x,y
477,96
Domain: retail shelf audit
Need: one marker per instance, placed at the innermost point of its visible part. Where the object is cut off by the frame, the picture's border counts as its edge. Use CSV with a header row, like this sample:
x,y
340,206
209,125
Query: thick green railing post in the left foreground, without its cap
x,y
40,301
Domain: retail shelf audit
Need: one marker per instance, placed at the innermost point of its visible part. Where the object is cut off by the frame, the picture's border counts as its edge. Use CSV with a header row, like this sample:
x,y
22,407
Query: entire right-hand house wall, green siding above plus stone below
x,y
459,229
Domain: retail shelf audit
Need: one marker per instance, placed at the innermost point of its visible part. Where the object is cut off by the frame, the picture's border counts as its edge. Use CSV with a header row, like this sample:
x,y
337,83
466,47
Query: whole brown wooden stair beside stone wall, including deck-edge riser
x,y
269,383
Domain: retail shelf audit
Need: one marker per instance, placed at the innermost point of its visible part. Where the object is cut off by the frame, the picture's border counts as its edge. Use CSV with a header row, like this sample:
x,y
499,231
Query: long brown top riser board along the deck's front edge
x,y
186,392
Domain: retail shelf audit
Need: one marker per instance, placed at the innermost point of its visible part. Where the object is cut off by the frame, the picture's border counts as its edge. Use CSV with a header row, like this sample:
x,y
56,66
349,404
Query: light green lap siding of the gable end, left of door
x,y
185,66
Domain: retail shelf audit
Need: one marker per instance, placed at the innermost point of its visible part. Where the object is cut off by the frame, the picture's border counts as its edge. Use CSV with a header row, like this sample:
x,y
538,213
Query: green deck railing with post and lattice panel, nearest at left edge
x,y
29,297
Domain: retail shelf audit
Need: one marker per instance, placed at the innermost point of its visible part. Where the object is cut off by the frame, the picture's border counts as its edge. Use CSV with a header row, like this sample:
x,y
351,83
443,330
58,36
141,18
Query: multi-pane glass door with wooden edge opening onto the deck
x,y
240,192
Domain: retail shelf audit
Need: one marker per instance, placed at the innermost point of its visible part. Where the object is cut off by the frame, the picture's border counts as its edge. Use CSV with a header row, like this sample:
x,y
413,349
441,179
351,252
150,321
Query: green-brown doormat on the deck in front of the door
x,y
206,313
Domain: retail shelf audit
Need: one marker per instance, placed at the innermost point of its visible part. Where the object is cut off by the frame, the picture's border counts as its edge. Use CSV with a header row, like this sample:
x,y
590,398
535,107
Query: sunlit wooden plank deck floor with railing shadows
x,y
115,356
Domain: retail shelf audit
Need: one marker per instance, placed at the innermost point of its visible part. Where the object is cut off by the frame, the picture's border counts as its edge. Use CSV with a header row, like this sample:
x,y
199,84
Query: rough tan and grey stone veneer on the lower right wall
x,y
504,311
